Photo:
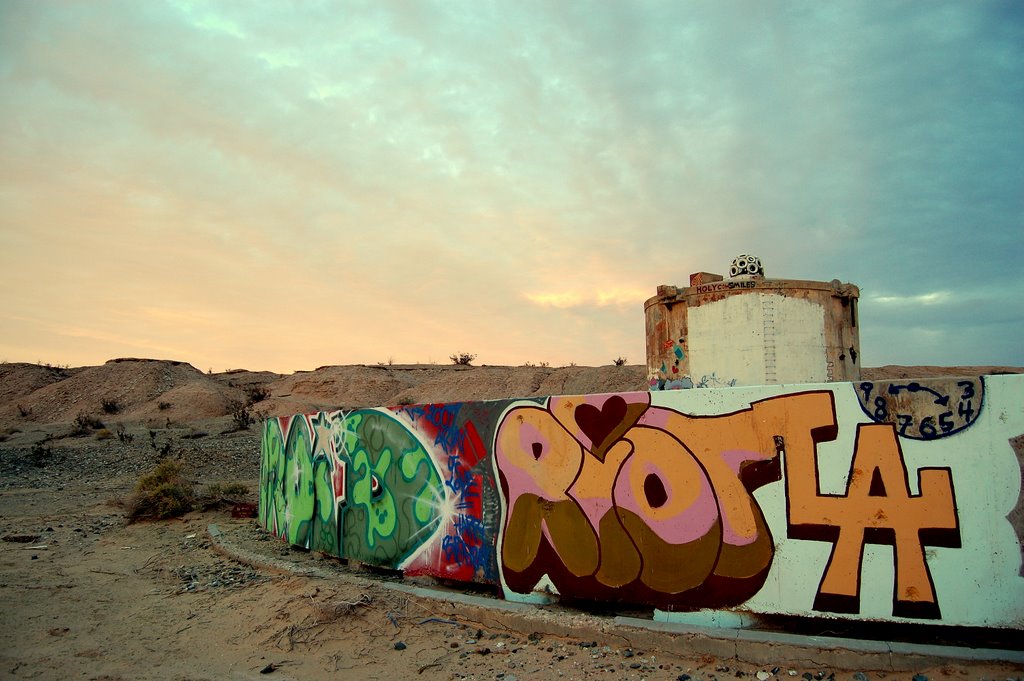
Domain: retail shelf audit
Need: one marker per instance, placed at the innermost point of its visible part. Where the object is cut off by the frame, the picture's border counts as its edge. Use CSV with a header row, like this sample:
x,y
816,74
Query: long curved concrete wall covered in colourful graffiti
x,y
897,501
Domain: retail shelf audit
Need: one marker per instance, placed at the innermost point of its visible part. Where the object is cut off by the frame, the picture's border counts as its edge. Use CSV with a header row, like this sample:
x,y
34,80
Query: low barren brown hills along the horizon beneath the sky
x,y
160,392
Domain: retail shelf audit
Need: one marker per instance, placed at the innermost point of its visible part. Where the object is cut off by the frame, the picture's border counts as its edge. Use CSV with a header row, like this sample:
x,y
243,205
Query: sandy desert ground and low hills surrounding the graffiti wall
x,y
87,594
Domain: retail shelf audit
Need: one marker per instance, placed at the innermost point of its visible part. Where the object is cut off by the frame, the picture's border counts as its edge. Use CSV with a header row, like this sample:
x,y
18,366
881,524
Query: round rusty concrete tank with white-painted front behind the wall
x,y
749,330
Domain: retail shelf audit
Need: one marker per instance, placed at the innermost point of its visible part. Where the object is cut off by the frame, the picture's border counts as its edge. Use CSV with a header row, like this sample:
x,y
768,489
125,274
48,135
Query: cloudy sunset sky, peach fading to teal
x,y
280,187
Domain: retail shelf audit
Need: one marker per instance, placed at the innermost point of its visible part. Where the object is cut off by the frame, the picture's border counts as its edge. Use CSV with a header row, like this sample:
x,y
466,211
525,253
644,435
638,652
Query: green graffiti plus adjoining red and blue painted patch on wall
x,y
365,486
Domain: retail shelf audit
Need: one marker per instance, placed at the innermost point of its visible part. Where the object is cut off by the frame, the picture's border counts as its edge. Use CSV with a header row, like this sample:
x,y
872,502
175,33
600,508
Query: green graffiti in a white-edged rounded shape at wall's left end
x,y
393,492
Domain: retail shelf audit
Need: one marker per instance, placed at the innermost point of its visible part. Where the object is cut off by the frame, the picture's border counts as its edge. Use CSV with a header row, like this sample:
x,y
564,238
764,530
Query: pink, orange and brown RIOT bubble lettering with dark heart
x,y
616,499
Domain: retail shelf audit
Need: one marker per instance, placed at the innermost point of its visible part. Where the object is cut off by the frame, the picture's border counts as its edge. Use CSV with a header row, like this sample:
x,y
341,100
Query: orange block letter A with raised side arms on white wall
x,y
878,508
